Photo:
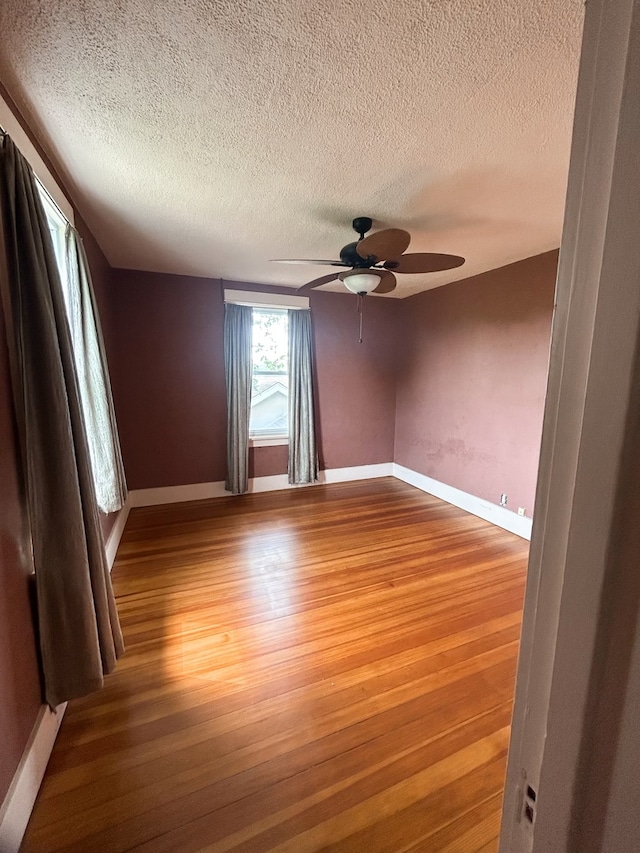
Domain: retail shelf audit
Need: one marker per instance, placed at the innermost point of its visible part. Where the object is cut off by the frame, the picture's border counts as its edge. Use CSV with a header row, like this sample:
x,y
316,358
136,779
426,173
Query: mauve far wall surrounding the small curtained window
x,y
167,367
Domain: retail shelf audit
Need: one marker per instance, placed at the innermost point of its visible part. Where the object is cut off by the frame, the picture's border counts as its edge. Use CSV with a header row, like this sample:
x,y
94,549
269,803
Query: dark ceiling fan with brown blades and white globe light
x,y
372,261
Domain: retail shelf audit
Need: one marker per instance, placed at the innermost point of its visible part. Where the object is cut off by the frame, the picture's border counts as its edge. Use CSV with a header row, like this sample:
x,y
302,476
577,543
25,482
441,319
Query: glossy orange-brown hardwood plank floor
x,y
329,668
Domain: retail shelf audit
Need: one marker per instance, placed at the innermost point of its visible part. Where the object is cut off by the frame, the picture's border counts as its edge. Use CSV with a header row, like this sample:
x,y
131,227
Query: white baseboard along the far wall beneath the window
x,y
276,482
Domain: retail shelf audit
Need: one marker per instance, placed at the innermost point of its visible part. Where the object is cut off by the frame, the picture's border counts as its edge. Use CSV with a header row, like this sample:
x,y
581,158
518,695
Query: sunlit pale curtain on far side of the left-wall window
x,y
93,378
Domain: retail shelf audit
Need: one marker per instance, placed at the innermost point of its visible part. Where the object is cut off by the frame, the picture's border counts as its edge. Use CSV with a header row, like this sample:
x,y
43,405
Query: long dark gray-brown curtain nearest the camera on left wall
x,y
79,632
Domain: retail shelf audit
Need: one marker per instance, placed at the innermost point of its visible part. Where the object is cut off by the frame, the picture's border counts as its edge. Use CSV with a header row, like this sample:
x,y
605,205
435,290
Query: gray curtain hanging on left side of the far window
x,y
238,320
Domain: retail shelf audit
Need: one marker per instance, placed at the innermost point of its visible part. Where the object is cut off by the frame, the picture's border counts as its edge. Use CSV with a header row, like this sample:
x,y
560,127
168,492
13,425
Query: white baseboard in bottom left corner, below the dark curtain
x,y
21,796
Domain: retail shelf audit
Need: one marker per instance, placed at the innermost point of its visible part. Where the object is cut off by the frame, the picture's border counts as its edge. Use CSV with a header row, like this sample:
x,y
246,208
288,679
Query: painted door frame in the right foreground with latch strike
x,y
576,563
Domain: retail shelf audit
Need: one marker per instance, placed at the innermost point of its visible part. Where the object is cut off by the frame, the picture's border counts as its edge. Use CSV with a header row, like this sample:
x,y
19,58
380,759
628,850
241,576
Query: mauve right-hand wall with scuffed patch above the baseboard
x,y
472,380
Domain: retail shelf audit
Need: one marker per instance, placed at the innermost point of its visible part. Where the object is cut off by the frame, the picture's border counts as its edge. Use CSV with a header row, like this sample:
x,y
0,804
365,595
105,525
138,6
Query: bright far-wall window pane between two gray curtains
x,y
270,374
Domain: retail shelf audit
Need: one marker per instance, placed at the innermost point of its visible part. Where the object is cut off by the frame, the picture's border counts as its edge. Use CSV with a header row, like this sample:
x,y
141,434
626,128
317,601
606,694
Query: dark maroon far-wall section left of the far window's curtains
x,y
168,378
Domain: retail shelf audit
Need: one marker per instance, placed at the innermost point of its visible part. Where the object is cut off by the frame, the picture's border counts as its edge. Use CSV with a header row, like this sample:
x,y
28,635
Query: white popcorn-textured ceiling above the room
x,y
204,137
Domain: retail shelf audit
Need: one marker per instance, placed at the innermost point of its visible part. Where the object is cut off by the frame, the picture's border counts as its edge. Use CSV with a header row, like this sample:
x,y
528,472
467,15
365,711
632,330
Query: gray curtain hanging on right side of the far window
x,y
303,454
